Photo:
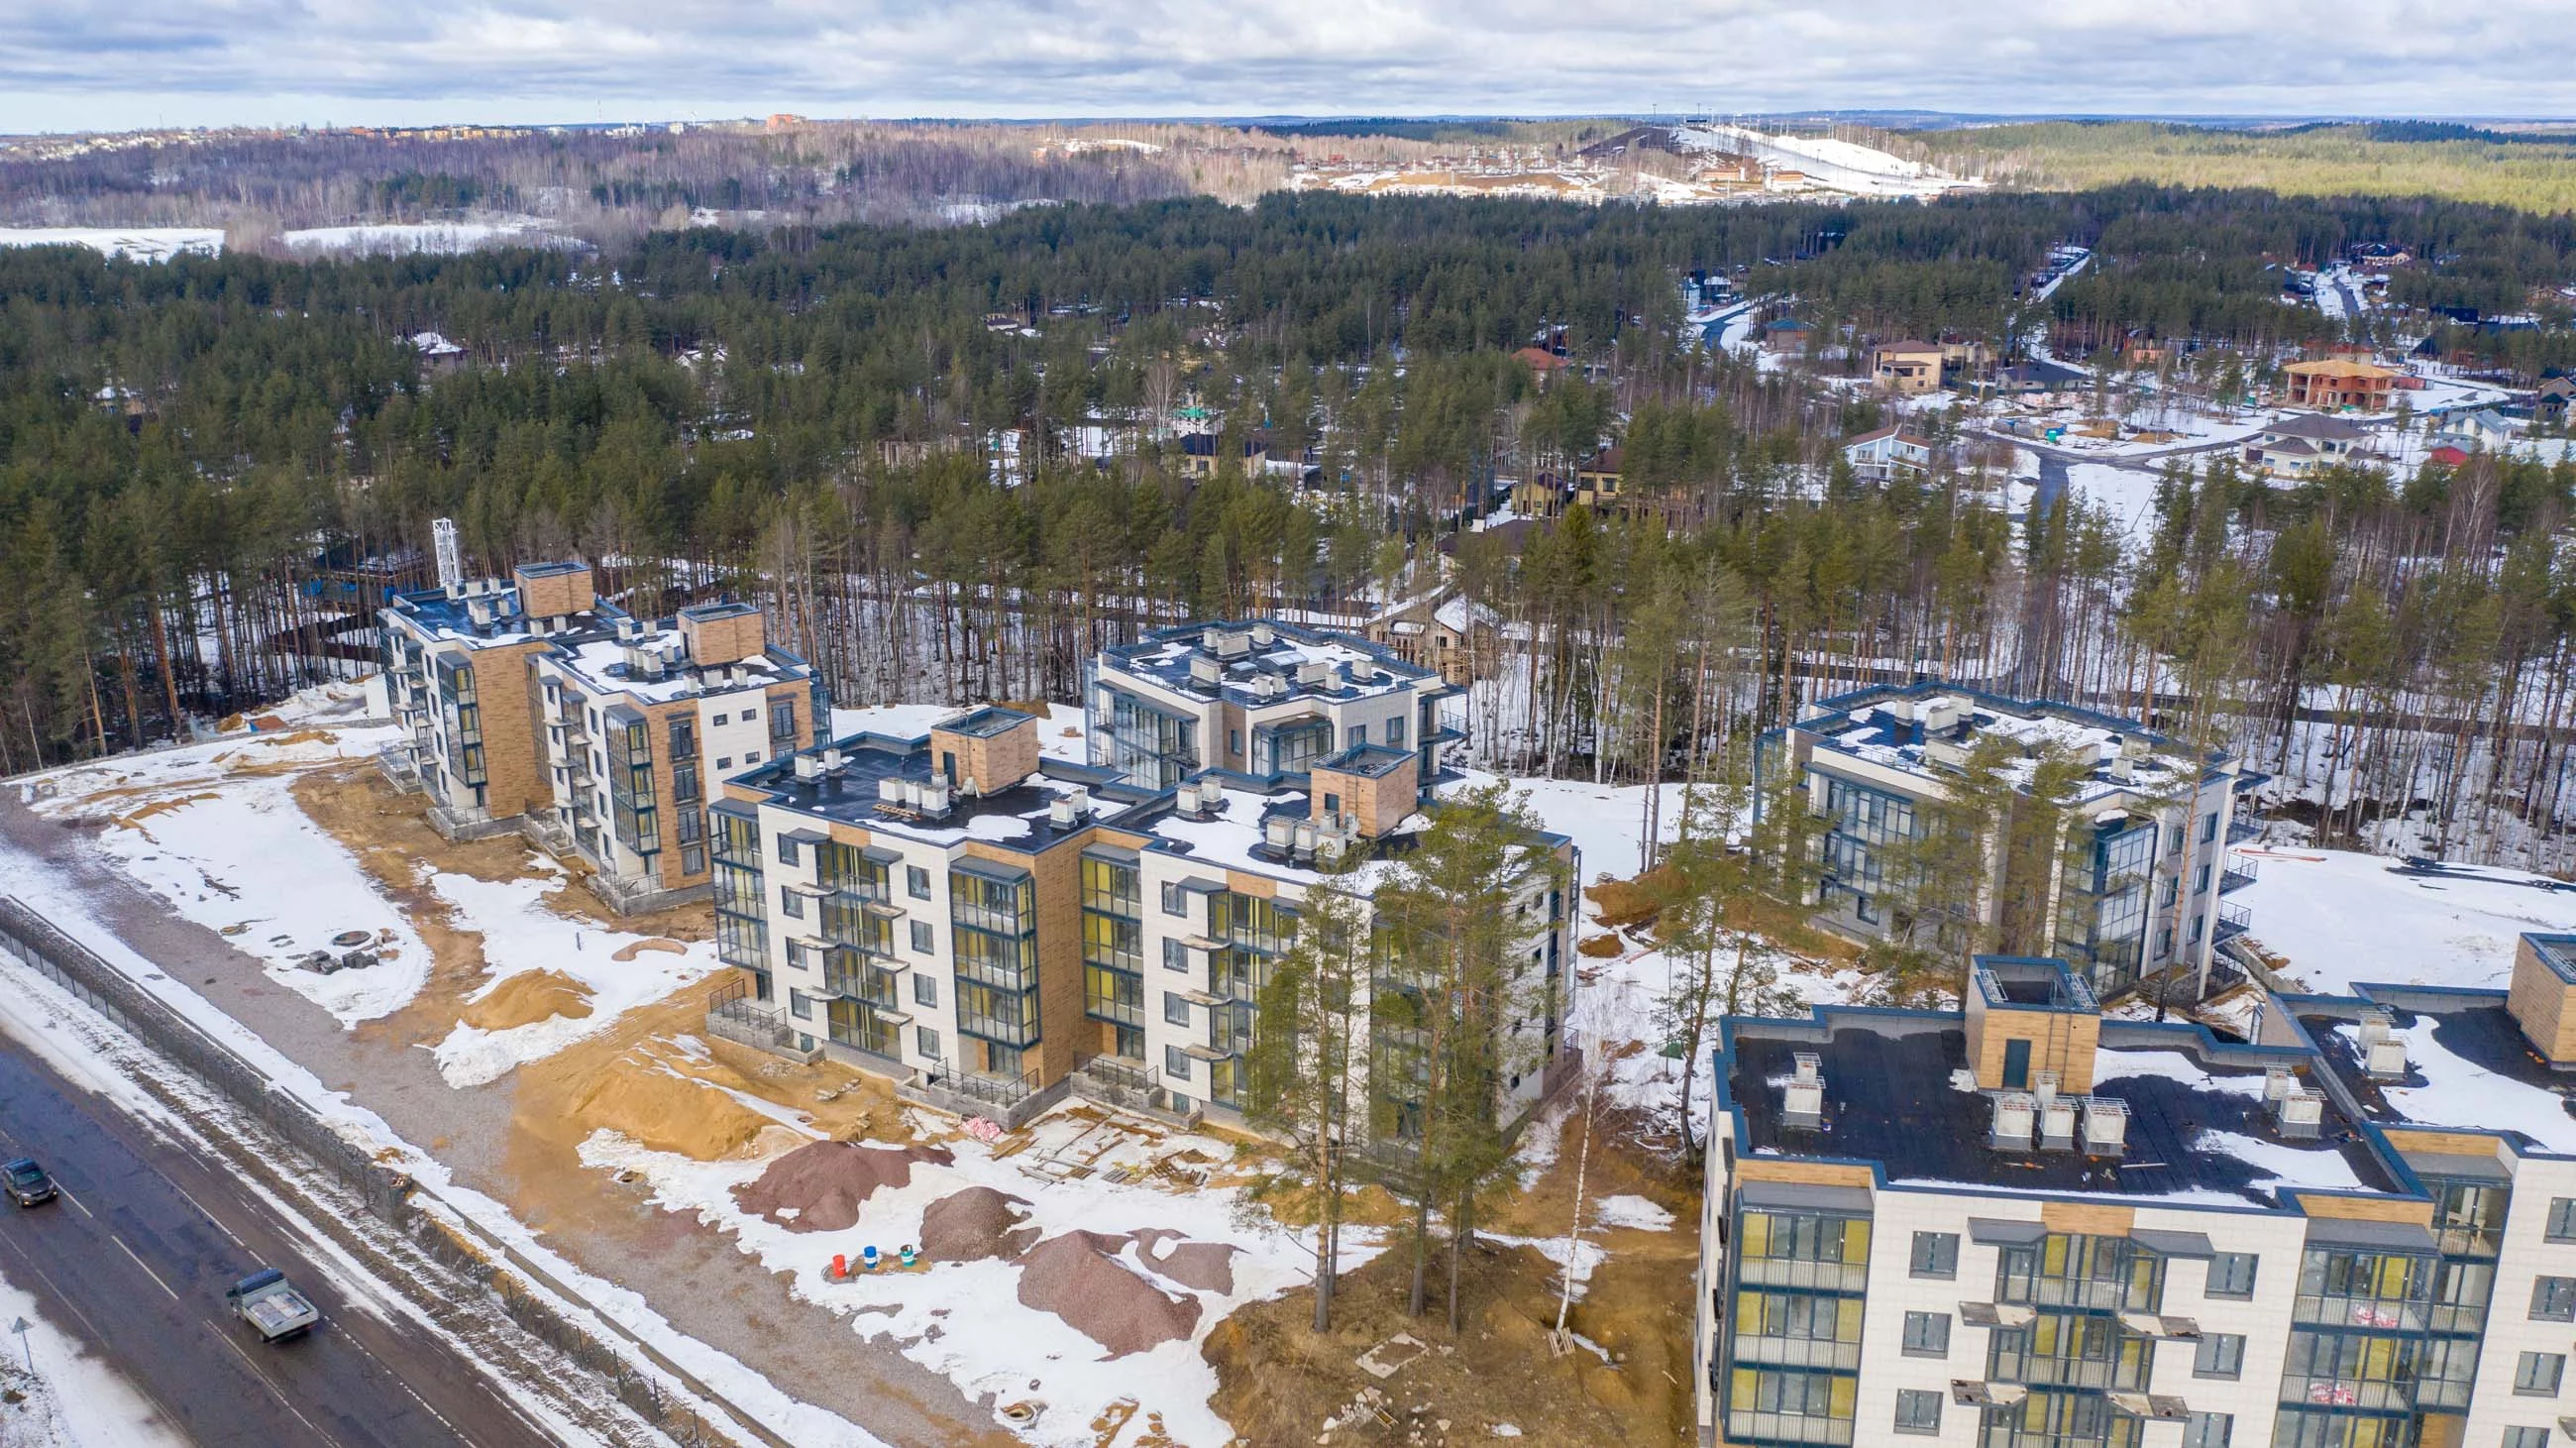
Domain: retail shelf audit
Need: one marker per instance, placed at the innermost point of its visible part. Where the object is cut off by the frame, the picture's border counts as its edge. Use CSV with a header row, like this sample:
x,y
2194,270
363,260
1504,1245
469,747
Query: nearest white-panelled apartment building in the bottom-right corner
x,y
2021,1225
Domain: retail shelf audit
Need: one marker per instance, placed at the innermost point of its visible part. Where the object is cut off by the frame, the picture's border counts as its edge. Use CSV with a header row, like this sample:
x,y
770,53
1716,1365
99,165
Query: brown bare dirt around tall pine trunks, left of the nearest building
x,y
1289,1385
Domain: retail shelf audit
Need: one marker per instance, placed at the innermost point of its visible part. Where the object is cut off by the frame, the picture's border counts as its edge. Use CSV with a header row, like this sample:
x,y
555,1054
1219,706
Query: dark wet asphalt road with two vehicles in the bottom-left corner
x,y
135,1259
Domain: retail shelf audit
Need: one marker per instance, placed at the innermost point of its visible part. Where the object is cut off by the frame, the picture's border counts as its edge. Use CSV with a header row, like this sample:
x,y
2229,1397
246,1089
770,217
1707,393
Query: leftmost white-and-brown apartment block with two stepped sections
x,y
535,705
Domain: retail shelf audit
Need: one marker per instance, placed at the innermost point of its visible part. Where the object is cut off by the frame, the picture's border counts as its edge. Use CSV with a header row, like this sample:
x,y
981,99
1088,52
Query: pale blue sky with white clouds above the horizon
x,y
140,63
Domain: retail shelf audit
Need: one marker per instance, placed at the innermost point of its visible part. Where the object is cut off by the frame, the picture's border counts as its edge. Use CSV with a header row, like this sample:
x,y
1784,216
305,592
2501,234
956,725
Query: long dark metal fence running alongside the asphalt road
x,y
444,1235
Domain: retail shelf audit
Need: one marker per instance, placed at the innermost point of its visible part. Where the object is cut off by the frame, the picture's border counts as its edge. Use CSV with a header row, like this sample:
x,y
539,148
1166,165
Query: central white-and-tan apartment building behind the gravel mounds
x,y
993,929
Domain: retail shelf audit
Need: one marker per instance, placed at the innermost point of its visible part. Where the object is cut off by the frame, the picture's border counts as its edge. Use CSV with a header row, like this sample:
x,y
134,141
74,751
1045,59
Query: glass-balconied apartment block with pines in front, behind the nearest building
x,y
2142,893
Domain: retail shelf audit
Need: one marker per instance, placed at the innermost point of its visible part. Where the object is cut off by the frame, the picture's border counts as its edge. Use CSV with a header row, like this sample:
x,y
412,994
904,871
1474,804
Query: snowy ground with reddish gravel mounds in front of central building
x,y
1163,1264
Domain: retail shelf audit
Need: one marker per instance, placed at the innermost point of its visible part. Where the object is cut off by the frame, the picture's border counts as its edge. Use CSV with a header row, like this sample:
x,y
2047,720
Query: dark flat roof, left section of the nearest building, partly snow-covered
x,y
2199,1125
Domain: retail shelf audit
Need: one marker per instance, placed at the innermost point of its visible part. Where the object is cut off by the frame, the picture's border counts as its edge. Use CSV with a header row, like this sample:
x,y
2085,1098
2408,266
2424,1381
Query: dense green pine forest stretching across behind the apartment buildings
x,y
952,462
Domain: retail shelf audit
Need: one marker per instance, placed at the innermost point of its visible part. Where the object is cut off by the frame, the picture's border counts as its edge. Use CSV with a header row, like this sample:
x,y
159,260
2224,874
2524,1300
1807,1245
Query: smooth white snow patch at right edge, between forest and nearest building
x,y
2343,919
